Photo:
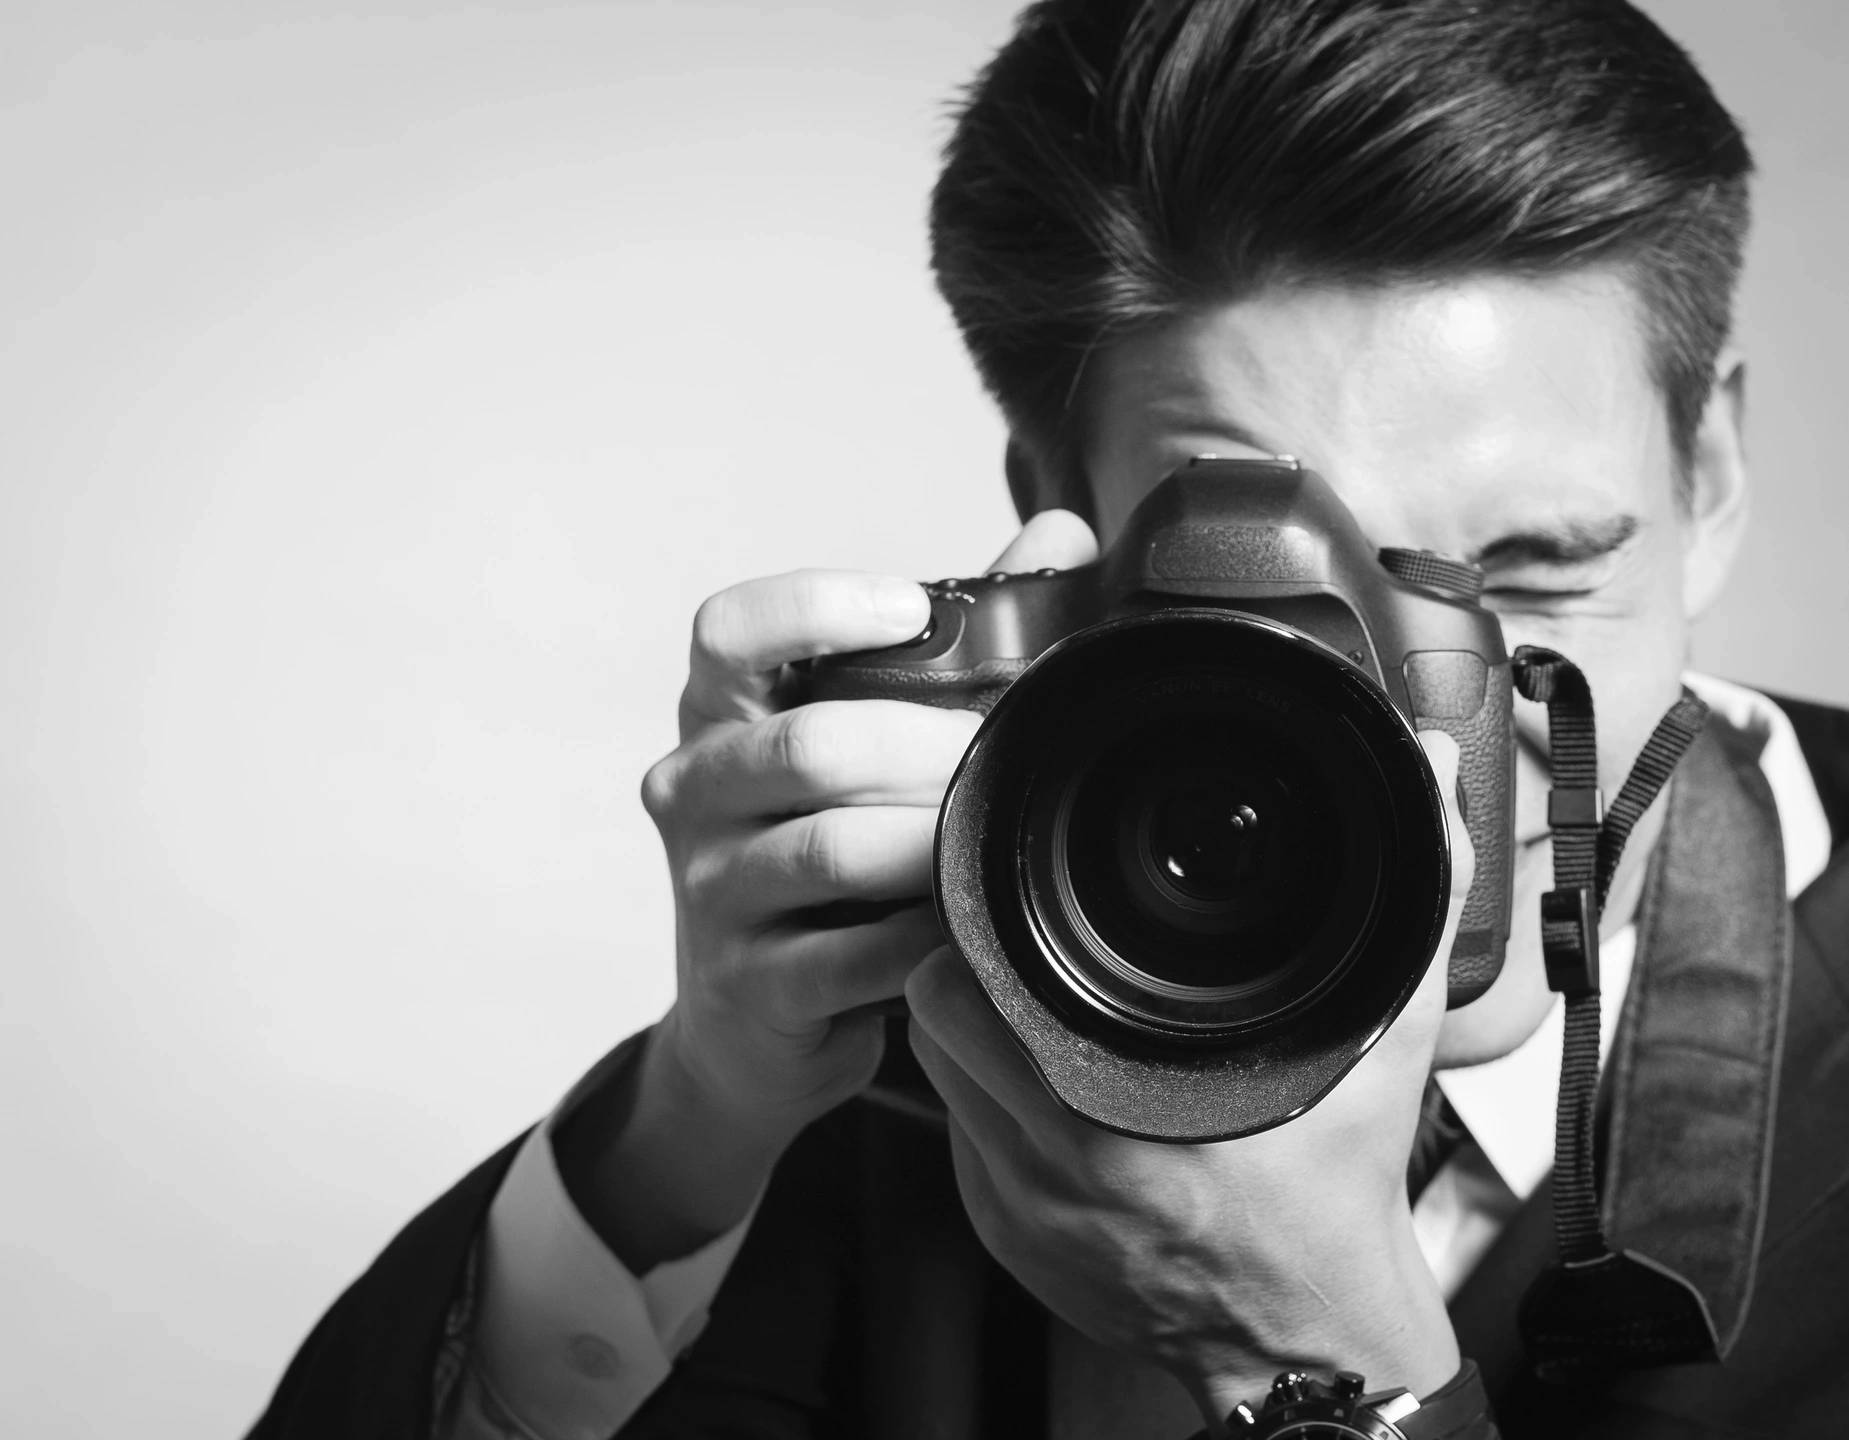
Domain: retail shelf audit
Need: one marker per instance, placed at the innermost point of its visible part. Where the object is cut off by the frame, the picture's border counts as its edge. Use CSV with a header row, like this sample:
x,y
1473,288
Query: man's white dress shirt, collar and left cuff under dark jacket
x,y
569,1345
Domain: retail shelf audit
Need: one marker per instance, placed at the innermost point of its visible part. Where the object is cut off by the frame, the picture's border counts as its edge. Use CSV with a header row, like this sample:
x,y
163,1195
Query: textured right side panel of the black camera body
x,y
1475,703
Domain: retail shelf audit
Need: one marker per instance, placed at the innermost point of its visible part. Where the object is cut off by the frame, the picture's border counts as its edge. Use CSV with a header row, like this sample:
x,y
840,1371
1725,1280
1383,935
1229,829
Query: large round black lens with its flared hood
x,y
1199,864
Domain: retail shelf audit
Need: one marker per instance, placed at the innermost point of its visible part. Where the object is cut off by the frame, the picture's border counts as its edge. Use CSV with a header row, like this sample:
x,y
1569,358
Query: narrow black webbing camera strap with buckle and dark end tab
x,y
1597,1310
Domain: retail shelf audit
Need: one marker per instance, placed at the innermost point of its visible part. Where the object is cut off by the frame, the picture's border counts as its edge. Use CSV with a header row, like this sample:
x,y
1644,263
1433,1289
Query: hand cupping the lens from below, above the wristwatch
x,y
1223,1263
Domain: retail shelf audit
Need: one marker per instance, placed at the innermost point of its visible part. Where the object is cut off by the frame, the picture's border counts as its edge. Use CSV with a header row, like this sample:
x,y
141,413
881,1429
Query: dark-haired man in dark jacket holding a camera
x,y
1475,265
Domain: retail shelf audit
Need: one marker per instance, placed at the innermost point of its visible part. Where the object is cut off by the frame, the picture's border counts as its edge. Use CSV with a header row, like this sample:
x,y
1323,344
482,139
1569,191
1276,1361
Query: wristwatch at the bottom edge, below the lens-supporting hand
x,y
1303,1408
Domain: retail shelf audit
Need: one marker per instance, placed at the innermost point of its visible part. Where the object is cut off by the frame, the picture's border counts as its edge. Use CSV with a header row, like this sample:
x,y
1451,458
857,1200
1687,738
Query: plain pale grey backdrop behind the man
x,y
384,387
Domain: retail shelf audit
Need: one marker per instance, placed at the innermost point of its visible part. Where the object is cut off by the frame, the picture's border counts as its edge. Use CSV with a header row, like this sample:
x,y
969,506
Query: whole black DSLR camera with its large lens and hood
x,y
1195,853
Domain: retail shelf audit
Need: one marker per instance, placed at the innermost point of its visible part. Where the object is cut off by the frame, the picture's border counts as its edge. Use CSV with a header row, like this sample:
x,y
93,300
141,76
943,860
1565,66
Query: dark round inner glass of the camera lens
x,y
1199,859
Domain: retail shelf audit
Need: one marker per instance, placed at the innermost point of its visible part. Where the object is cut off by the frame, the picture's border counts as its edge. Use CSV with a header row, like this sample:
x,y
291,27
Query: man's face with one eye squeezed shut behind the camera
x,y
1510,422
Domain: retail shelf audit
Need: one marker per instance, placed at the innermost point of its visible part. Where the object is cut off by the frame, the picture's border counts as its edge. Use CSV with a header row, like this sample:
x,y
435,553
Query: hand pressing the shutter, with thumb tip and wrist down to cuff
x,y
774,822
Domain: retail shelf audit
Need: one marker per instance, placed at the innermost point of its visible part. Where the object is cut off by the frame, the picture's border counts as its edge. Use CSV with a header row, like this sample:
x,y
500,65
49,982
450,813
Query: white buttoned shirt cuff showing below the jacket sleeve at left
x,y
569,1341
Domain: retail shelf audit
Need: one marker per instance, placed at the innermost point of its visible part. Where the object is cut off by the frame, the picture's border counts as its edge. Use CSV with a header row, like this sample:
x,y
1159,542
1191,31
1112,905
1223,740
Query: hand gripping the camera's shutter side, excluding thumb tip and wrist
x,y
779,822
